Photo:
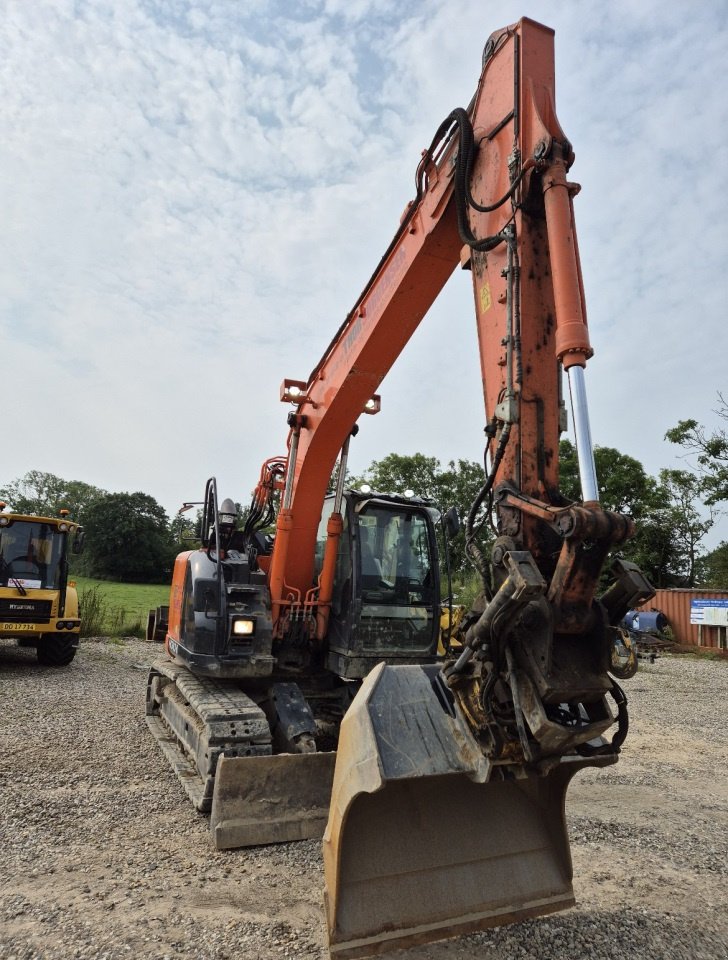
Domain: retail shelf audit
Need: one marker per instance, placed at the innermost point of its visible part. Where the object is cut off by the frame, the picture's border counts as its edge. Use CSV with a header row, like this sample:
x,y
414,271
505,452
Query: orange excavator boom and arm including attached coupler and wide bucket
x,y
447,810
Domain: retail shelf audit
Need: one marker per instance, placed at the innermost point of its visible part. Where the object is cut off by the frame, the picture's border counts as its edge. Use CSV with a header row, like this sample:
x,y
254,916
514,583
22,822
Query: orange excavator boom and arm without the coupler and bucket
x,y
493,197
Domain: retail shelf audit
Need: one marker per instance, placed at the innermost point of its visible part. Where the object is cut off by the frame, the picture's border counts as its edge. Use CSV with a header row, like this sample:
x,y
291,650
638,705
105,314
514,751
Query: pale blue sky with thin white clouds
x,y
194,192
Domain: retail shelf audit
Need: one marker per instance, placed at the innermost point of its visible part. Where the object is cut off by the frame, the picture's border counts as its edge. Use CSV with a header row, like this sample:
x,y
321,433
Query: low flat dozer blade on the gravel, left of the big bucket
x,y
273,799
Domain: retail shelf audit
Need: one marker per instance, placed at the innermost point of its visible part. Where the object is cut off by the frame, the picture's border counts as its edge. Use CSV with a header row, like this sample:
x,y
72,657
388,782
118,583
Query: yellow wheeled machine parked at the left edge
x,y
38,606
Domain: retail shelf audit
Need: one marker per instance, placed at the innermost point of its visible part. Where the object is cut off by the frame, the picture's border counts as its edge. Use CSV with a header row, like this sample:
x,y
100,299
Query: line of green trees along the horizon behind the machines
x,y
129,536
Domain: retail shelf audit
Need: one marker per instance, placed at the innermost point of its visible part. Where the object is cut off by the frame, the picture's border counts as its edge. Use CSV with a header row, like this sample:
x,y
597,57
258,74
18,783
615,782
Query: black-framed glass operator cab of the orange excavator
x,y
386,598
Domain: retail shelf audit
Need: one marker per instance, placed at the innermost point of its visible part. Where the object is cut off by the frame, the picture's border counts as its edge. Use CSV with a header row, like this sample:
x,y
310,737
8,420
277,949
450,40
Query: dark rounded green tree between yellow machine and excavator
x,y
128,538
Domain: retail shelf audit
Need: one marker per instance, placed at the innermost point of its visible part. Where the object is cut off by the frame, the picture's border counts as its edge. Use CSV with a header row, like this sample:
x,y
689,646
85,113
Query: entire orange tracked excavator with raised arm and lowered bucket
x,y
303,692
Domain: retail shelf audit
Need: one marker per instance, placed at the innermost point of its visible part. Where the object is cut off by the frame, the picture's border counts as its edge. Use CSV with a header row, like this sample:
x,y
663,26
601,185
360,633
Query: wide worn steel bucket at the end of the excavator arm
x,y
425,840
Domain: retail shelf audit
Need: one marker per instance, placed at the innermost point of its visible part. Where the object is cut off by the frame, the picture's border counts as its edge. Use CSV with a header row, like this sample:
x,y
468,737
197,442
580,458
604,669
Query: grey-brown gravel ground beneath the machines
x,y
102,857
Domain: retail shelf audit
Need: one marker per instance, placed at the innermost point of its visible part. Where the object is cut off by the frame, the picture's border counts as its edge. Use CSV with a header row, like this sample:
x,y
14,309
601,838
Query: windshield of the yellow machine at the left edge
x,y
30,554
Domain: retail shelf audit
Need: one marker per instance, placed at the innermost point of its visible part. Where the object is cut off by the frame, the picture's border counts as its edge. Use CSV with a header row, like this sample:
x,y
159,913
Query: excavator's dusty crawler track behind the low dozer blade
x,y
198,720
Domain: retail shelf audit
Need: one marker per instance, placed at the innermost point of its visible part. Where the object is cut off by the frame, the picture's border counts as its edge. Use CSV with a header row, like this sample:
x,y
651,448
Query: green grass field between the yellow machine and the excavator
x,y
117,609
